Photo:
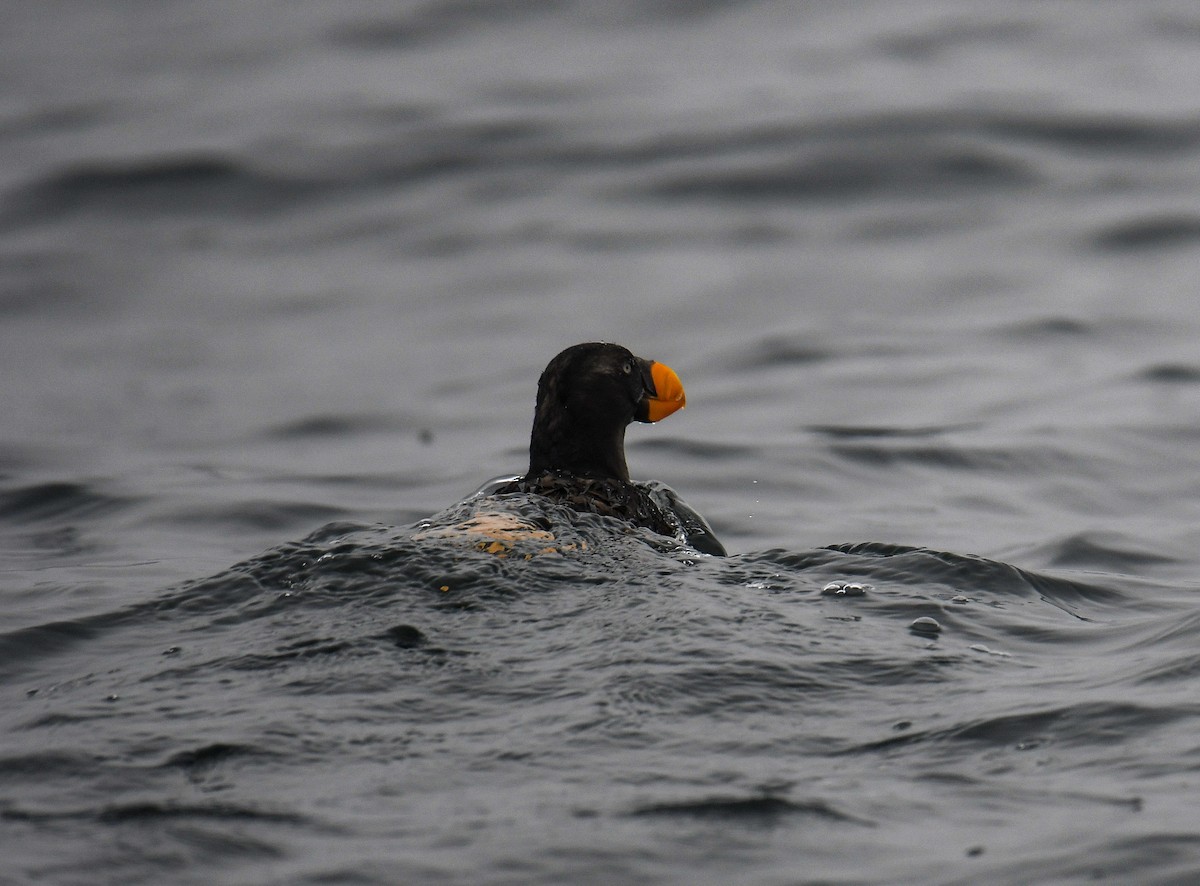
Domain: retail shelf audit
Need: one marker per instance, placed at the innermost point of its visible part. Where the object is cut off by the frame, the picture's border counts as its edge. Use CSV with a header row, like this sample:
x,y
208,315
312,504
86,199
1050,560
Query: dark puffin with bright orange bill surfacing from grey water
x,y
586,398
